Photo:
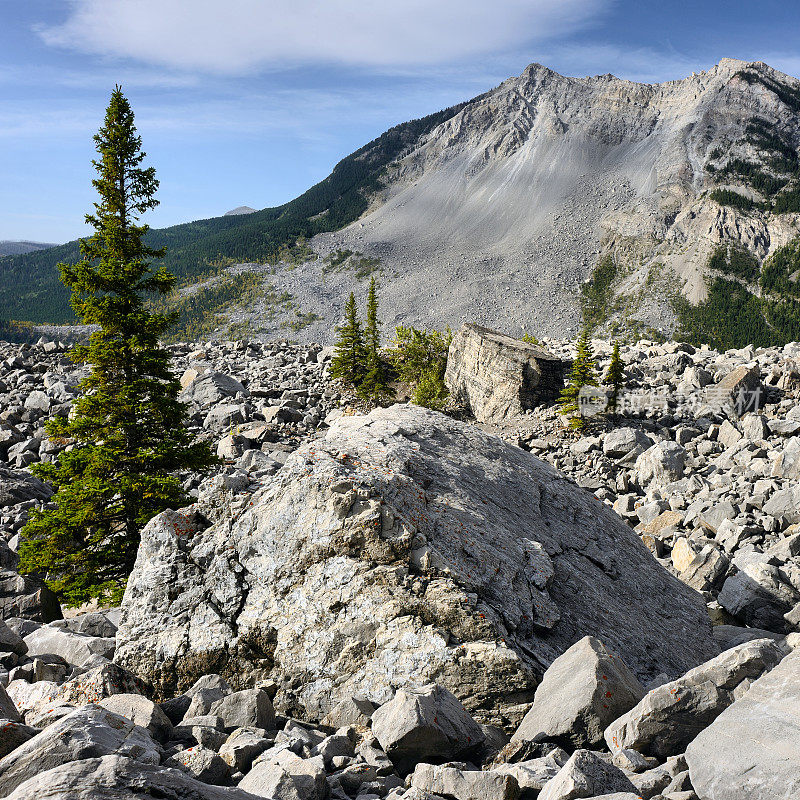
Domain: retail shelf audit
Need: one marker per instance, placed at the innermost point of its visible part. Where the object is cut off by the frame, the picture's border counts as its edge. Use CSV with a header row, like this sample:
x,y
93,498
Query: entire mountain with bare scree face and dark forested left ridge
x,y
514,209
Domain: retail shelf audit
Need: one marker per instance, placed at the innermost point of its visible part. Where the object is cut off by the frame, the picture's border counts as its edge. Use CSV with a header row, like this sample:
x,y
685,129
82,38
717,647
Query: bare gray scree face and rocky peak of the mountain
x,y
501,213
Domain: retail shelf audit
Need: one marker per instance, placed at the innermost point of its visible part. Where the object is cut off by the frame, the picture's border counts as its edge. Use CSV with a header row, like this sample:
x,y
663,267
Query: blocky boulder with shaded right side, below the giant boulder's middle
x,y
426,724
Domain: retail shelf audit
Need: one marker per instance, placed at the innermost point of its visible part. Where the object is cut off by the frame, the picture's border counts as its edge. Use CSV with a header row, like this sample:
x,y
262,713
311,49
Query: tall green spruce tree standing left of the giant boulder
x,y
126,435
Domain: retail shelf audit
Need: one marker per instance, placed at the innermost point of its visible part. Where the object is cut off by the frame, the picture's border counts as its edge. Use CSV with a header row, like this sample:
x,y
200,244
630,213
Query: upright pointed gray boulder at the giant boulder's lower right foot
x,y
582,692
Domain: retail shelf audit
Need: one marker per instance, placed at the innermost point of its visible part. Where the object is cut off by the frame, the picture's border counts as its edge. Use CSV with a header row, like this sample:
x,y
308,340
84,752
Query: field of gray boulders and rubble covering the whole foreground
x,y
409,606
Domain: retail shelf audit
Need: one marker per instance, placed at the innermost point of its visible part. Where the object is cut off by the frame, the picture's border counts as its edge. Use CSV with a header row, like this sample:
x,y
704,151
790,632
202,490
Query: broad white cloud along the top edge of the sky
x,y
240,36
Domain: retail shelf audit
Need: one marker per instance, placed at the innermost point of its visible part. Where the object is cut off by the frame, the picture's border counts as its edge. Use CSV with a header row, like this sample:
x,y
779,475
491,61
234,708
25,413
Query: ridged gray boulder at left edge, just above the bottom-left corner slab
x,y
89,732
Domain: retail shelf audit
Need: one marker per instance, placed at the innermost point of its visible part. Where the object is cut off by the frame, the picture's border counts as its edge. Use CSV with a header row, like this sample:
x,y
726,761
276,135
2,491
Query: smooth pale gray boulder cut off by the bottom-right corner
x,y
752,750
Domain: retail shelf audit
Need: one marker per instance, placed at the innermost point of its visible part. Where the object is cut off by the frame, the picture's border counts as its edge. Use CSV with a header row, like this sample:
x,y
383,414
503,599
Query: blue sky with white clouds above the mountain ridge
x,y
249,102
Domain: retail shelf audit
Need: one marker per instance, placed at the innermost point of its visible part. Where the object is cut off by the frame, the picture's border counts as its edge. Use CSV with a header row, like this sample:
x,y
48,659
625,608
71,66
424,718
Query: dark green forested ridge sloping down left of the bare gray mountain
x,y
29,284
